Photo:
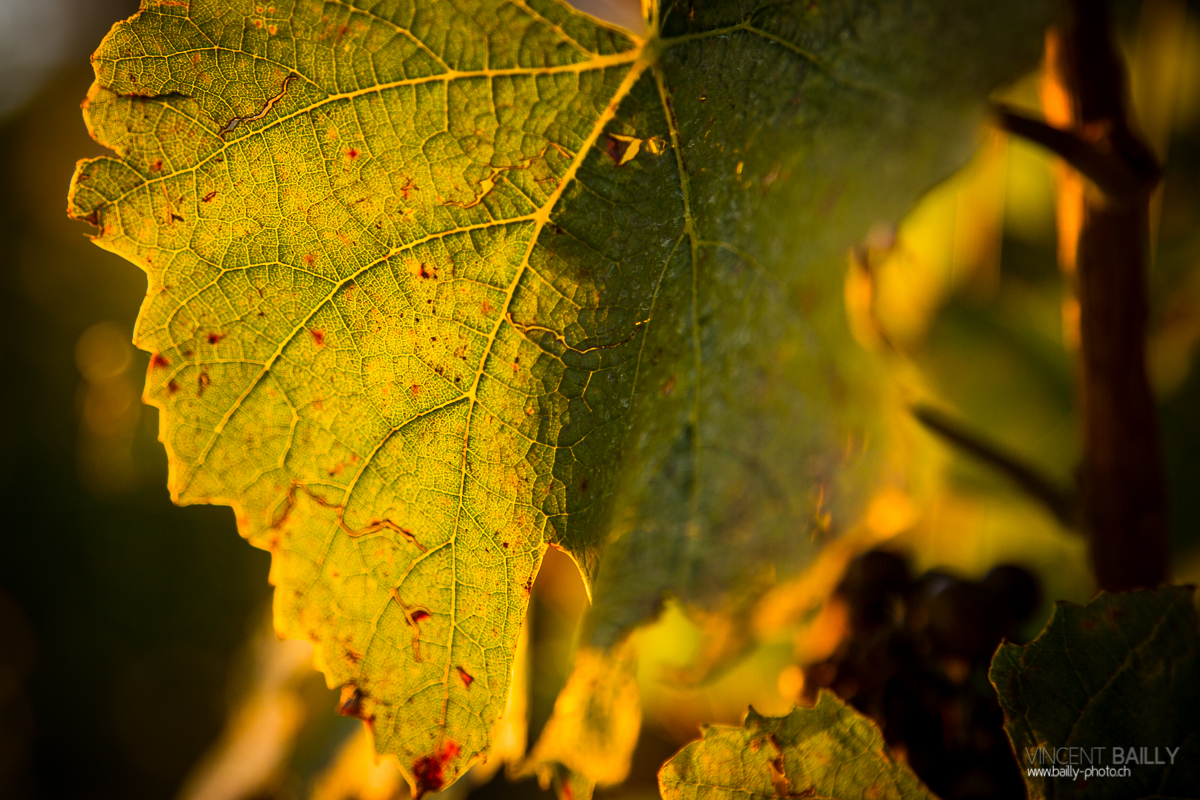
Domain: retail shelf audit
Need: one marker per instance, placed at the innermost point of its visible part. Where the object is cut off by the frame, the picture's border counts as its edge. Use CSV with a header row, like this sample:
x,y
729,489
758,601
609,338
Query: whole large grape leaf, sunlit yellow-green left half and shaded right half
x,y
434,286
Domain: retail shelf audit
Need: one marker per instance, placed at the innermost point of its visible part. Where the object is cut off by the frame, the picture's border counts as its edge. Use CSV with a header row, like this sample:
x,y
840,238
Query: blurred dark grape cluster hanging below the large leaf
x,y
915,659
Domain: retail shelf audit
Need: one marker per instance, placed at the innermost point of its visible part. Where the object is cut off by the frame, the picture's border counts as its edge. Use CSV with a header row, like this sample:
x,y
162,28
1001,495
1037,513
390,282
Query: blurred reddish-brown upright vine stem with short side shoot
x,y
1123,484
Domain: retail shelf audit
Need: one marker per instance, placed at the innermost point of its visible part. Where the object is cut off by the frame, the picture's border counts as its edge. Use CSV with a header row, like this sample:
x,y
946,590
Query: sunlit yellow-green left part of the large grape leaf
x,y
339,212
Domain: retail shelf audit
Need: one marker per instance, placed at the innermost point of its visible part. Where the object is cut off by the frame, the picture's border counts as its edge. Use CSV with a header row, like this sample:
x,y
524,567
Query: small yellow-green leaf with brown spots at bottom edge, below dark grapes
x,y
827,751
